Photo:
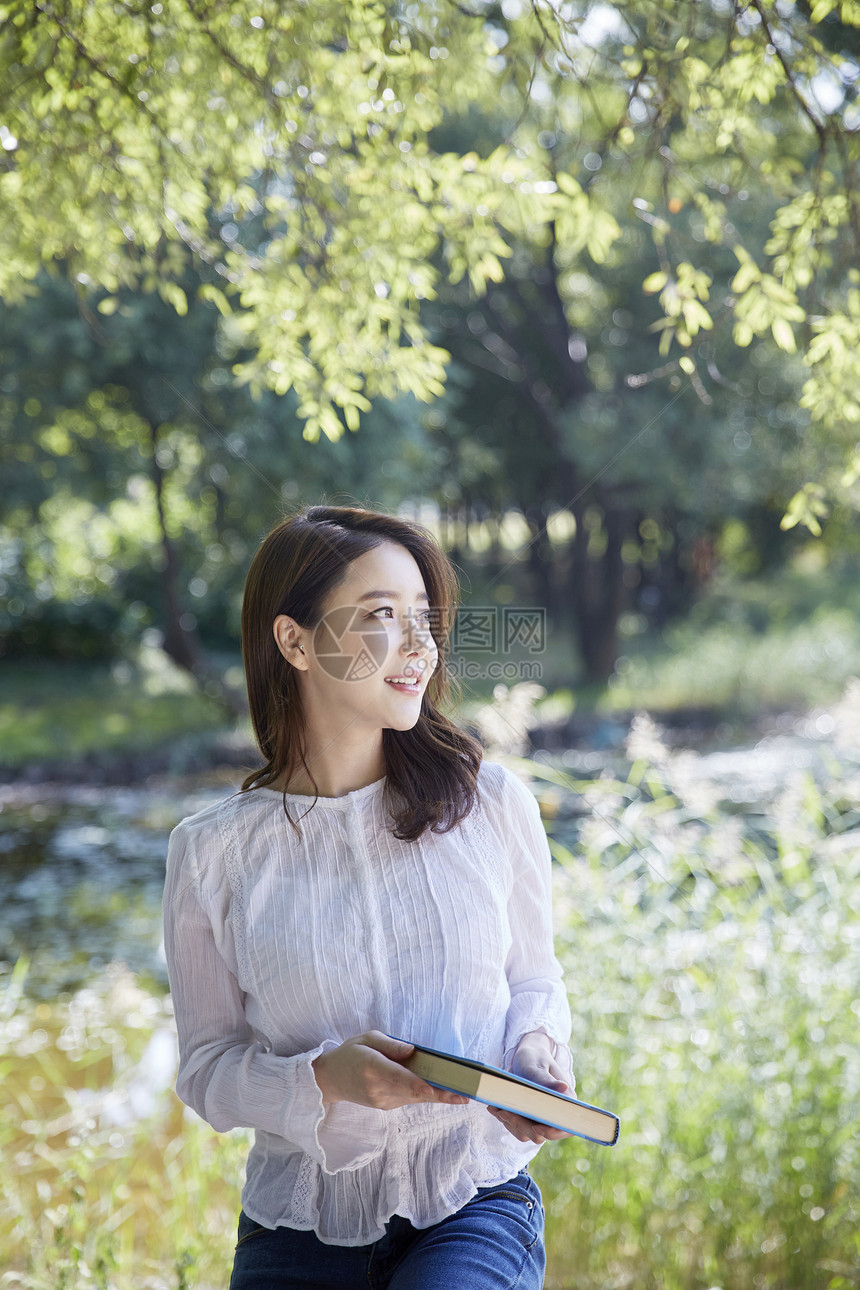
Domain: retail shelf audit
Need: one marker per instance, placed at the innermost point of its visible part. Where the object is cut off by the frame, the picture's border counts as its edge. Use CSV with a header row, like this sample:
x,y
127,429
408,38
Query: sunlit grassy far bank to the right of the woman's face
x,y
782,643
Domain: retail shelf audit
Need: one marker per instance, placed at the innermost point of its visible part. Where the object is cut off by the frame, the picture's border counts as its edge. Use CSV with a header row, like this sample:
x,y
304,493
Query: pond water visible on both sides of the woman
x,y
82,868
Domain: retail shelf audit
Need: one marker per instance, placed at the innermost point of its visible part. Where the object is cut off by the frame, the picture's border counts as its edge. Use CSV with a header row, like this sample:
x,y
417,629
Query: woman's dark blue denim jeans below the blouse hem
x,y
493,1243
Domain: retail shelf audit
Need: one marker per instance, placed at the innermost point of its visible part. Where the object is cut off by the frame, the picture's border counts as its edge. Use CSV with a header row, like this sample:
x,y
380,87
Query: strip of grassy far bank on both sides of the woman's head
x,y
790,642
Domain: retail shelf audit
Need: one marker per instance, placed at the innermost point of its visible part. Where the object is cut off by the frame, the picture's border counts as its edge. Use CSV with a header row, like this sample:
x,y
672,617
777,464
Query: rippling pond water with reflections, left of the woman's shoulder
x,y
82,875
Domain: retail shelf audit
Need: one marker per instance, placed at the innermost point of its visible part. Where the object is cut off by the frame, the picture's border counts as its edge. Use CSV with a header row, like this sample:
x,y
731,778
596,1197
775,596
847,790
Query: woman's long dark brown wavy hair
x,y
431,771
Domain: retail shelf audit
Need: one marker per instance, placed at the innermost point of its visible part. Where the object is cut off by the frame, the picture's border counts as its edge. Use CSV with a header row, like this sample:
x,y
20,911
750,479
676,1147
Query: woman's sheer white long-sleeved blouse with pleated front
x,y
279,949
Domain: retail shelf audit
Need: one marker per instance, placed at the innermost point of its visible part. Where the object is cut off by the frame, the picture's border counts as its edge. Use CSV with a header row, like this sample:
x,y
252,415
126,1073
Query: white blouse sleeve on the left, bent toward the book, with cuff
x,y
228,1075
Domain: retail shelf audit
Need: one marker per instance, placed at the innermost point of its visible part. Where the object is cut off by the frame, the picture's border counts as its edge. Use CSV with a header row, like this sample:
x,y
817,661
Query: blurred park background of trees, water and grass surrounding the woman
x,y
657,544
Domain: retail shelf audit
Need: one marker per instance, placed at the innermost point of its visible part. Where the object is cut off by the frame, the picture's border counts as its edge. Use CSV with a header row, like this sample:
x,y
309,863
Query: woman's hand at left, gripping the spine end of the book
x,y
367,1070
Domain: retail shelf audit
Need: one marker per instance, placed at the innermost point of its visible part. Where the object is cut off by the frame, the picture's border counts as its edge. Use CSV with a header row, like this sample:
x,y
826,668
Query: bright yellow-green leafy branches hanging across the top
x,y
293,152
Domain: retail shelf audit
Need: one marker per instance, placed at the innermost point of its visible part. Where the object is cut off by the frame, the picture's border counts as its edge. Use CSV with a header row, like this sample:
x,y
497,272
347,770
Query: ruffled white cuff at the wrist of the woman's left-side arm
x,y
340,1137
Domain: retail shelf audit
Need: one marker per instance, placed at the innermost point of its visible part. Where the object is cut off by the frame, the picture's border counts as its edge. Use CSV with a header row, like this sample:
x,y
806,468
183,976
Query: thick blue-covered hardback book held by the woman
x,y
498,1088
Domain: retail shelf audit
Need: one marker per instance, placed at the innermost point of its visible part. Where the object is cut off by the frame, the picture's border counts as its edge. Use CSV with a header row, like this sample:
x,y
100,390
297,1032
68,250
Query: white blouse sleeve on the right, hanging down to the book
x,y
536,980
